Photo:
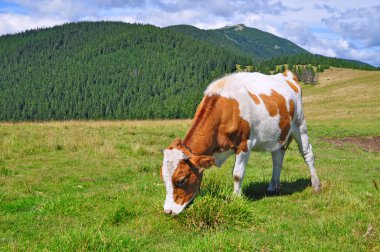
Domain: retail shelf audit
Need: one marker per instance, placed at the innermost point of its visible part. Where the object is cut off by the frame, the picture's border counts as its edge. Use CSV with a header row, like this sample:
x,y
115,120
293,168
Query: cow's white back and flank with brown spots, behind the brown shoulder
x,y
269,103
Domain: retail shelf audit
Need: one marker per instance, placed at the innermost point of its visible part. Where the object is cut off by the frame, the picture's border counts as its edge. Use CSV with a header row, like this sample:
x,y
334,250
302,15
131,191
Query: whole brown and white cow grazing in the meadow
x,y
239,113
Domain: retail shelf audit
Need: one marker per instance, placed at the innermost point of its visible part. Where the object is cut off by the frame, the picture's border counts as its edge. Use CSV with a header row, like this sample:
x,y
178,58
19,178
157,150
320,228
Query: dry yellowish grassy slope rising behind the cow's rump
x,y
345,96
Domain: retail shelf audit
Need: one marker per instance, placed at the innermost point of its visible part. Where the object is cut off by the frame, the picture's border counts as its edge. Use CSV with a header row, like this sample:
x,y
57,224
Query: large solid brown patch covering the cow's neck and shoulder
x,y
217,125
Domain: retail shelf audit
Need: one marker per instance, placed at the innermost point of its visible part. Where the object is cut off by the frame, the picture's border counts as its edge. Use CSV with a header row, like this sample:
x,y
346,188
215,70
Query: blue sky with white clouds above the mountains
x,y
347,29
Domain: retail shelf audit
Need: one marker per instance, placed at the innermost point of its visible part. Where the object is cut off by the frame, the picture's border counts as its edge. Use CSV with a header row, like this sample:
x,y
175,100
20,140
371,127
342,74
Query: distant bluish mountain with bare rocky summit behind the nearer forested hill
x,y
239,38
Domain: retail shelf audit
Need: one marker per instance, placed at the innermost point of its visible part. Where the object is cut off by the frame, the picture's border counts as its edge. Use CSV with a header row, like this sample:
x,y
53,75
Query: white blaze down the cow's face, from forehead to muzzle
x,y
171,161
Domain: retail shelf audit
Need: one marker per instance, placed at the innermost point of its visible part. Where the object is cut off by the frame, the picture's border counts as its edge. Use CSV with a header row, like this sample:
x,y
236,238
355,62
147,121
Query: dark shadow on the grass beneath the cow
x,y
258,190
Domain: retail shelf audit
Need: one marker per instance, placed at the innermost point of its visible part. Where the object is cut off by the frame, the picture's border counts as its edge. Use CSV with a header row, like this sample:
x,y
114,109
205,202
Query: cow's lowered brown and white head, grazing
x,y
182,174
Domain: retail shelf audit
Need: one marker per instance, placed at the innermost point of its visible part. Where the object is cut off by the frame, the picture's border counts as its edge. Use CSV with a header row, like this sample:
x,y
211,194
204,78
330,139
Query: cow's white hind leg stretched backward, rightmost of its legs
x,y
299,133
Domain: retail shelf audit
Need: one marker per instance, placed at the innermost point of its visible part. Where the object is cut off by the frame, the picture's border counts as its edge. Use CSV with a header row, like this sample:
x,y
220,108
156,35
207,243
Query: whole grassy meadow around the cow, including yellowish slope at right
x,y
96,186
